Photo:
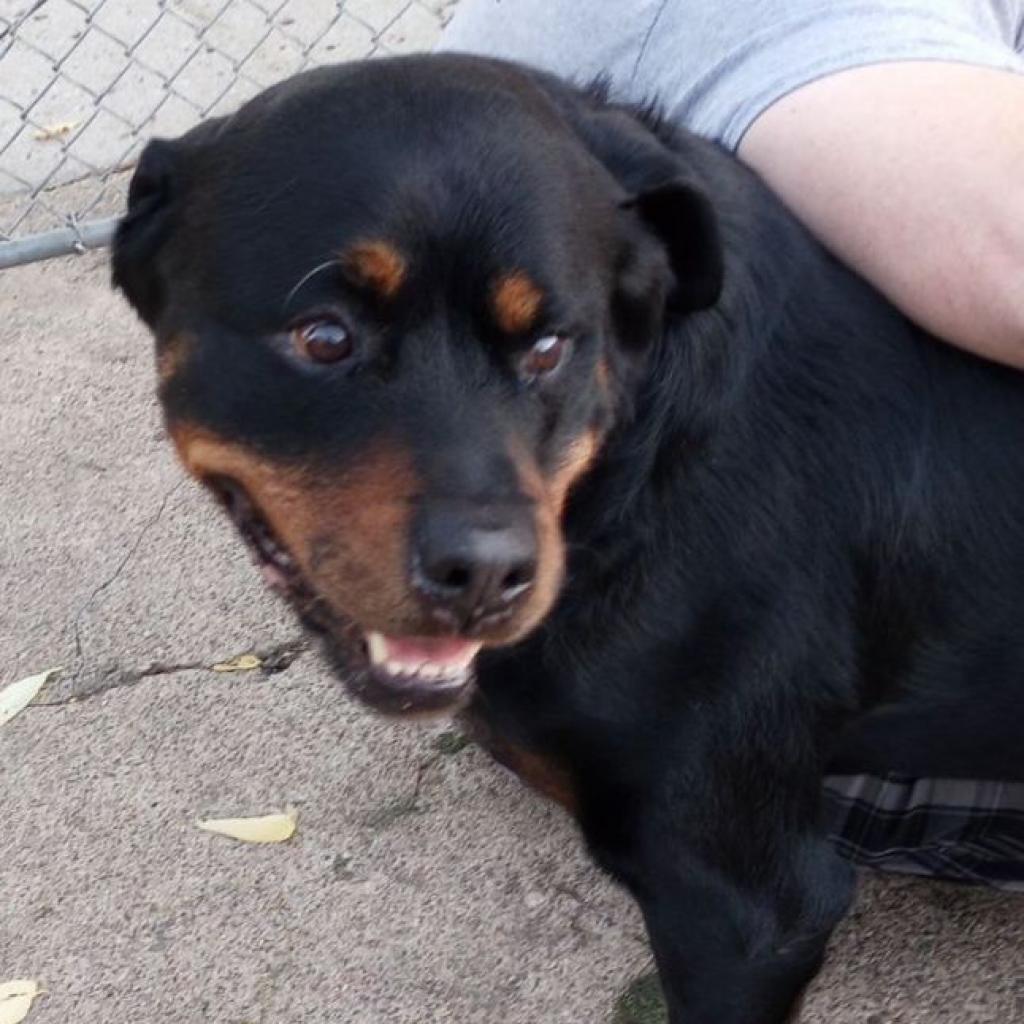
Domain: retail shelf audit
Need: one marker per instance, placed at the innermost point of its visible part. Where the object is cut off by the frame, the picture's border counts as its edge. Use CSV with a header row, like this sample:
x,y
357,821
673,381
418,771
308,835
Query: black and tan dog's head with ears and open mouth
x,y
397,308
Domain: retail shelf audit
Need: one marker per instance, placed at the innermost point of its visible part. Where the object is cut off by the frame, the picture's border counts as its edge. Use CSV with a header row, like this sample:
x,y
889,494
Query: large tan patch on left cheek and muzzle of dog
x,y
349,534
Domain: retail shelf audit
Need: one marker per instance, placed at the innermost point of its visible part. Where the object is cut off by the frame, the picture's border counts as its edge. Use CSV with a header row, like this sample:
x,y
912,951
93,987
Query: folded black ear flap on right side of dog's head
x,y
682,219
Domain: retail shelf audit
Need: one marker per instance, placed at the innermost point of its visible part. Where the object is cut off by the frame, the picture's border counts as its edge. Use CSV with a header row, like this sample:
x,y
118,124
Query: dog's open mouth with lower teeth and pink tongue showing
x,y
392,674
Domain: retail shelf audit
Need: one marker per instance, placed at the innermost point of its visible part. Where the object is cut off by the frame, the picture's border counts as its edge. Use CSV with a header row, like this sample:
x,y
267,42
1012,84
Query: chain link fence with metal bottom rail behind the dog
x,y
86,83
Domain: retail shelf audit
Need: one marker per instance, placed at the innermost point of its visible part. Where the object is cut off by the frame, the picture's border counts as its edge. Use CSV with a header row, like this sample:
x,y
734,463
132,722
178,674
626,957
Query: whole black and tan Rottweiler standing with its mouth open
x,y
539,408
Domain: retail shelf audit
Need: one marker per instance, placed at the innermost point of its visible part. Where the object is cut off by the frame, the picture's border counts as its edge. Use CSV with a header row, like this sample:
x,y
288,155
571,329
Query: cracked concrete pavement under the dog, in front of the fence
x,y
423,884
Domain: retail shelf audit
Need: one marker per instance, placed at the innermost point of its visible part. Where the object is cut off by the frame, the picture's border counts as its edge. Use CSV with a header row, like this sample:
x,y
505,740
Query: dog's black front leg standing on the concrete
x,y
740,890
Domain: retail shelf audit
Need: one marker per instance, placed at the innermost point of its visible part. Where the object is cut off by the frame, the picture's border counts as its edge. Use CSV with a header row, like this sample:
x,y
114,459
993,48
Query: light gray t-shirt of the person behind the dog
x,y
717,65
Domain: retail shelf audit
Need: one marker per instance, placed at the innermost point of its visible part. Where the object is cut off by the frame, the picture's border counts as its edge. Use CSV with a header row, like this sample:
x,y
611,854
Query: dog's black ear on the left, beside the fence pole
x,y
145,228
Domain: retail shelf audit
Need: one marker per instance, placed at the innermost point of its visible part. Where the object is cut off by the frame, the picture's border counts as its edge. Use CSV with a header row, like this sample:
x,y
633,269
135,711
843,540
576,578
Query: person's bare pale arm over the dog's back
x,y
914,174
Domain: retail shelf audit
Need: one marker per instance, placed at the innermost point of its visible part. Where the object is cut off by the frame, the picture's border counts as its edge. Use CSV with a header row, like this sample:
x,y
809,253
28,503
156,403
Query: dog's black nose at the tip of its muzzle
x,y
475,563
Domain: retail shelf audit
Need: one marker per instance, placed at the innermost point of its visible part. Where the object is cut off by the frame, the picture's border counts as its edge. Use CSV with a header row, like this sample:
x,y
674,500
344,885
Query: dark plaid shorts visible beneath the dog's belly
x,y
957,830
